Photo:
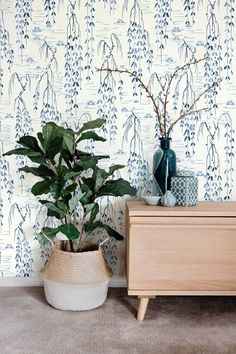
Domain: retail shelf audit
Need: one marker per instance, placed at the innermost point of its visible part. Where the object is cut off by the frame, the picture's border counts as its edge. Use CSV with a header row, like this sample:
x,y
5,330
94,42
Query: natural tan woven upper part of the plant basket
x,y
76,268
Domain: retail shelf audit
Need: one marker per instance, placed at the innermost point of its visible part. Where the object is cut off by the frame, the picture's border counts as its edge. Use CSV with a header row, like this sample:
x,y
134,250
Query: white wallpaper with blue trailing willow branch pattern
x,y
50,51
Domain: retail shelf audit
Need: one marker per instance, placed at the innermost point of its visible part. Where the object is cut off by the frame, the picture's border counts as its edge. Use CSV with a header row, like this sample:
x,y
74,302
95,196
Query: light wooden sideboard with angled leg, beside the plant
x,y
180,250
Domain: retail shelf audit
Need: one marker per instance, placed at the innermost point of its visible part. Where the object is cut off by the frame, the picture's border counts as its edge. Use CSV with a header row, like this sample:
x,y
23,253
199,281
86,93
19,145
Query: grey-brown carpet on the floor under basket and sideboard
x,y
173,325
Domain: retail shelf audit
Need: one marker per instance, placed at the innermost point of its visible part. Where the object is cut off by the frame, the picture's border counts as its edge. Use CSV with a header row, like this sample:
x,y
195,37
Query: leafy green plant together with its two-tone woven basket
x,y
76,276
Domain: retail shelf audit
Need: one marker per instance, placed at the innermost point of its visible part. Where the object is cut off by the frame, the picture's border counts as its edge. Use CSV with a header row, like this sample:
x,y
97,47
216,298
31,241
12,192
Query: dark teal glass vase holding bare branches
x,y
164,164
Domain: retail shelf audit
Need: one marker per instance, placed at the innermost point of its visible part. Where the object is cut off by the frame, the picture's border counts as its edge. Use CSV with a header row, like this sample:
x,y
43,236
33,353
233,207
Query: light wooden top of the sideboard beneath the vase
x,y
204,208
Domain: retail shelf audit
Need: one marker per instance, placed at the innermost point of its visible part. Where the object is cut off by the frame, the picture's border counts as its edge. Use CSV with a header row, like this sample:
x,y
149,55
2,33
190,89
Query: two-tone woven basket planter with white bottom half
x,y
76,281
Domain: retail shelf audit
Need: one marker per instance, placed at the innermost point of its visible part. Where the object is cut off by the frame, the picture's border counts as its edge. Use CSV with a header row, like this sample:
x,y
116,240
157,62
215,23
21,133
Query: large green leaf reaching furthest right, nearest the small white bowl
x,y
116,188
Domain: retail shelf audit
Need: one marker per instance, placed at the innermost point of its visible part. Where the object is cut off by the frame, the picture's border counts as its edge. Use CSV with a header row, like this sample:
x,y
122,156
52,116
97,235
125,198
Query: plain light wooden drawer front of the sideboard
x,y
182,257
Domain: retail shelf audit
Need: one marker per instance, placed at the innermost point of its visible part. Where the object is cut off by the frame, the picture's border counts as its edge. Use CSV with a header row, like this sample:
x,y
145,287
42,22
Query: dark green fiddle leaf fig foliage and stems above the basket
x,y
71,180
